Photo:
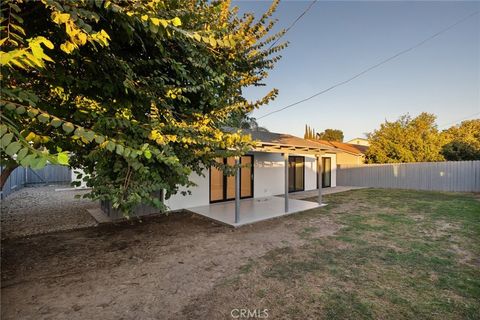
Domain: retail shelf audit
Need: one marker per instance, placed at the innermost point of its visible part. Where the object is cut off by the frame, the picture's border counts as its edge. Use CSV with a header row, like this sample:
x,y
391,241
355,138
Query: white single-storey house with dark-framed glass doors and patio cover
x,y
281,163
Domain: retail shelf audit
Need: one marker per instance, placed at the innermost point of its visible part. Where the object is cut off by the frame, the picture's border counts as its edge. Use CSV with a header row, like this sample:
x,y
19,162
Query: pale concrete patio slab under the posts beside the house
x,y
252,210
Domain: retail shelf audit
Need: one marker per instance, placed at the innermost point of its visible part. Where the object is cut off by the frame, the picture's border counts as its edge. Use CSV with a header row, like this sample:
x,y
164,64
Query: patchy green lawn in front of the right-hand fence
x,y
399,255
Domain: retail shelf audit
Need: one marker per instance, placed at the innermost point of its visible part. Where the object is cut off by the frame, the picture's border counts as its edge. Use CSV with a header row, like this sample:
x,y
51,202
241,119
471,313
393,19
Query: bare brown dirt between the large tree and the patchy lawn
x,y
136,270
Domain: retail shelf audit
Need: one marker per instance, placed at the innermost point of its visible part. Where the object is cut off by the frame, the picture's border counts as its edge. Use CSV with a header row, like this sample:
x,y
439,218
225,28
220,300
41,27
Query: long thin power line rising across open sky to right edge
x,y
374,66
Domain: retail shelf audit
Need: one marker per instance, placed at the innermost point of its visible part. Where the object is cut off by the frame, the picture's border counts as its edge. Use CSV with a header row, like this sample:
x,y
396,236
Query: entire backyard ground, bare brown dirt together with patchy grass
x,y
371,253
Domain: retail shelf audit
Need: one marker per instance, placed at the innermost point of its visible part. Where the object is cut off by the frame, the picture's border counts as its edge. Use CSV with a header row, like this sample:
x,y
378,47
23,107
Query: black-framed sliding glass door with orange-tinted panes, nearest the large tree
x,y
222,187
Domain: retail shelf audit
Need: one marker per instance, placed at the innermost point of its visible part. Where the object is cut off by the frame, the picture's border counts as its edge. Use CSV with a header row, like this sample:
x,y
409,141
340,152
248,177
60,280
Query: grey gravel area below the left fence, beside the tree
x,y
38,210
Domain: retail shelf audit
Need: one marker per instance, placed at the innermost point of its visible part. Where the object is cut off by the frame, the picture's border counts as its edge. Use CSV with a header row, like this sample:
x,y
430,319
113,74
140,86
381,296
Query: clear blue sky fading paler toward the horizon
x,y
337,39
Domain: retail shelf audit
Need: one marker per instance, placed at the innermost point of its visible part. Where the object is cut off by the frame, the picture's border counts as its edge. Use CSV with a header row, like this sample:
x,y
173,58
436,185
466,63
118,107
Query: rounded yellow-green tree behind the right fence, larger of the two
x,y
406,140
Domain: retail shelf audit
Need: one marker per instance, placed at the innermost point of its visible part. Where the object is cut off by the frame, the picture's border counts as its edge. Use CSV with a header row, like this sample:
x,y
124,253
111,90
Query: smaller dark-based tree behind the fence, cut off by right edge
x,y
463,141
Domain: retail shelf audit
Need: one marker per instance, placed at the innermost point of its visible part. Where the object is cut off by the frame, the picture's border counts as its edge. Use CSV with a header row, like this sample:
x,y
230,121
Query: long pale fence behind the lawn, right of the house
x,y
460,176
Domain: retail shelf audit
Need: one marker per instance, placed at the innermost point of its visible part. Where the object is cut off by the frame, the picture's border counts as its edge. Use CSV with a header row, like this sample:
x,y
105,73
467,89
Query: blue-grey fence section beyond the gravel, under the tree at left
x,y
21,177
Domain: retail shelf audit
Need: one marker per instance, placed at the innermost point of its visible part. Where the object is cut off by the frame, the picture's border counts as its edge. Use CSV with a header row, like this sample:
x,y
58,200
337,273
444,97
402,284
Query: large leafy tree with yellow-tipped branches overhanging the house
x,y
135,92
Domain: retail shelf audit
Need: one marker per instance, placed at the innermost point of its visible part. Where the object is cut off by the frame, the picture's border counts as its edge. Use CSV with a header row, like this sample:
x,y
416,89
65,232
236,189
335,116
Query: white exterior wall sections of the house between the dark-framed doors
x,y
269,179
